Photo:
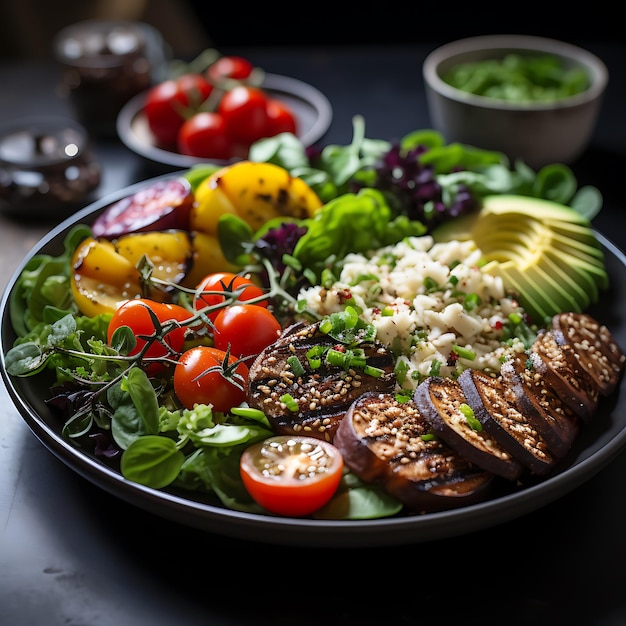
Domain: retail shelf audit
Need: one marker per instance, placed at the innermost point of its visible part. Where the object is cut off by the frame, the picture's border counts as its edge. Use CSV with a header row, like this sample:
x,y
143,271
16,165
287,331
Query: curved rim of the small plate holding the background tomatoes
x,y
273,82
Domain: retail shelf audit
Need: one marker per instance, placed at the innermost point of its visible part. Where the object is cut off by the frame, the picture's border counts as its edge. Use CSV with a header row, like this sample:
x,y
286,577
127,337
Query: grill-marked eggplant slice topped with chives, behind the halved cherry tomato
x,y
300,398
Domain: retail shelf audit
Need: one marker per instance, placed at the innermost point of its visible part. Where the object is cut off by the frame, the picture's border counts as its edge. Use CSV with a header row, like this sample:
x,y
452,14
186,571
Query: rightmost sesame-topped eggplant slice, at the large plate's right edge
x,y
593,346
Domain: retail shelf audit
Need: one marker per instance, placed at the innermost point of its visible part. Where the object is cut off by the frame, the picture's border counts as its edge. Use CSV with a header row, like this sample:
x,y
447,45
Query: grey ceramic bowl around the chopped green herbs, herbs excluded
x,y
537,133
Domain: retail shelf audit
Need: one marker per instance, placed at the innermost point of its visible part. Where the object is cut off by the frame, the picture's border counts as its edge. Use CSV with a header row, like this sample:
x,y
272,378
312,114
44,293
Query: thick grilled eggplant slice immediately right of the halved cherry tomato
x,y
389,442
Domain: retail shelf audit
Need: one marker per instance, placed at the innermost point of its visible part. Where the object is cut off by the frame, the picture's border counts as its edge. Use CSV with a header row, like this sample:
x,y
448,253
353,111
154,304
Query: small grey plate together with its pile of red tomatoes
x,y
218,113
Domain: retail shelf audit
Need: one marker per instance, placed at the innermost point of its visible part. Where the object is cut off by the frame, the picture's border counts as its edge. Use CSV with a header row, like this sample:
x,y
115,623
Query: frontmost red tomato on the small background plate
x,y
204,135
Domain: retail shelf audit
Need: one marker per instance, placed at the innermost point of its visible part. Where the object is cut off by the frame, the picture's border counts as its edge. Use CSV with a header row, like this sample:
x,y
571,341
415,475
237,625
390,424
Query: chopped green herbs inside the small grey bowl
x,y
519,78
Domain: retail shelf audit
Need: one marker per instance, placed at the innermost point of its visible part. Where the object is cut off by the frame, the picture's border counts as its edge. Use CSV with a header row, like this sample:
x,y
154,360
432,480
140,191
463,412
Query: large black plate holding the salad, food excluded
x,y
597,445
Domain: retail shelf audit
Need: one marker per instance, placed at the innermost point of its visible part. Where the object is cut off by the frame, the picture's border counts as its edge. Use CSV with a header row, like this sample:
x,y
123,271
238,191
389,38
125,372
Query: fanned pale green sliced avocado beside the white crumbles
x,y
546,253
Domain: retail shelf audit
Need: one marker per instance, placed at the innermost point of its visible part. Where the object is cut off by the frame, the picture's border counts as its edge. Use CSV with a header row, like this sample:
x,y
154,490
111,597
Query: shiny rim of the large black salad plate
x,y
220,520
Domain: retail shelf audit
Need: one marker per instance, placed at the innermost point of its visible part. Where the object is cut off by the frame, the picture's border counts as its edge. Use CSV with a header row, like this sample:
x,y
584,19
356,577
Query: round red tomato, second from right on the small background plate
x,y
244,109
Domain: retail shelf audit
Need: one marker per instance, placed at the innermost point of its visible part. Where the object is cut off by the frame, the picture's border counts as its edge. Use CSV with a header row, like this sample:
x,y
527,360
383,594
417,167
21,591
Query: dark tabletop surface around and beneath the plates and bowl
x,y
71,553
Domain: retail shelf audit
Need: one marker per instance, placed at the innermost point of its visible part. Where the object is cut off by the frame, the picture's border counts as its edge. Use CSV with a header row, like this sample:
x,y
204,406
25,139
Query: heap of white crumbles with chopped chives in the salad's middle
x,y
415,293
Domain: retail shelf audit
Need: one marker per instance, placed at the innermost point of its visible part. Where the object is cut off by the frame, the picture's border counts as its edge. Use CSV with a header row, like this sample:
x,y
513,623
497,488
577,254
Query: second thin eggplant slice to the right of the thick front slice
x,y
495,406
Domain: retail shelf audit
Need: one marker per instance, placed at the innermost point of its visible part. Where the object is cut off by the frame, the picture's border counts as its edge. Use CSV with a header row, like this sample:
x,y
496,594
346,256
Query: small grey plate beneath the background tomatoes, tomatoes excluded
x,y
311,108
